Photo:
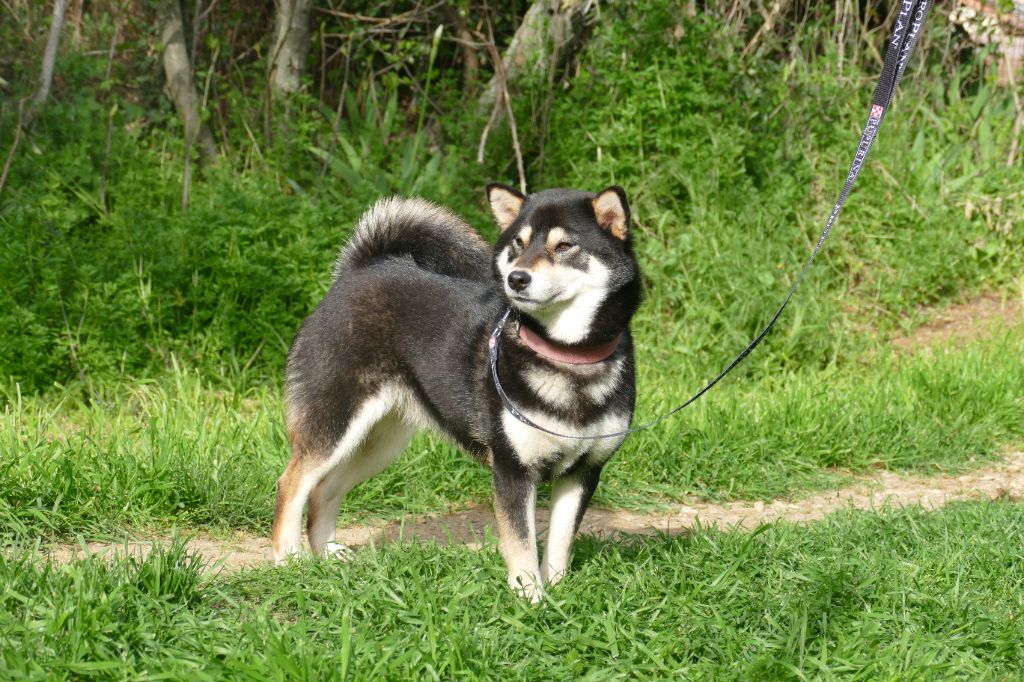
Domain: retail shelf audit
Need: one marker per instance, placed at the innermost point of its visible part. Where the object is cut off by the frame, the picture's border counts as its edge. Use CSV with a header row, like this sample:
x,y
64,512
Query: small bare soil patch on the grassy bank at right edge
x,y
980,318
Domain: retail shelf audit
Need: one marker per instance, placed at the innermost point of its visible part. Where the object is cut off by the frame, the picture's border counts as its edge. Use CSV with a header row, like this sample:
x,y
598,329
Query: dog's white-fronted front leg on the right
x,y
570,497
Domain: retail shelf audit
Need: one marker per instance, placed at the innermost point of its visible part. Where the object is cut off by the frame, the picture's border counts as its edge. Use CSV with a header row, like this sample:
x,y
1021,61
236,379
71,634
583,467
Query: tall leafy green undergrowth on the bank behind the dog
x,y
731,162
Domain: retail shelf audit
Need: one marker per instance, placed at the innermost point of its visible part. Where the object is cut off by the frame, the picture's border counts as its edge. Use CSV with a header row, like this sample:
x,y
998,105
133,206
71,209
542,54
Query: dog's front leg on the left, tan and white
x,y
516,511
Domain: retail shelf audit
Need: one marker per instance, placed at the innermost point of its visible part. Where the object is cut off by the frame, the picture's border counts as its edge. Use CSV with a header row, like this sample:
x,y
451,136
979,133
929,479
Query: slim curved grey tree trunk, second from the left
x,y
181,89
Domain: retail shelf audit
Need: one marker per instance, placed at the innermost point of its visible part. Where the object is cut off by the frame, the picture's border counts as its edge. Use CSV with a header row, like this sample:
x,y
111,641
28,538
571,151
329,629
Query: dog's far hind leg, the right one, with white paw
x,y
382,446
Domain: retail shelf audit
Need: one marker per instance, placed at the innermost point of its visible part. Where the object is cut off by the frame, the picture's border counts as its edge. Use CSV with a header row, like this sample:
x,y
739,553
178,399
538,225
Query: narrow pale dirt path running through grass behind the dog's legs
x,y
1005,481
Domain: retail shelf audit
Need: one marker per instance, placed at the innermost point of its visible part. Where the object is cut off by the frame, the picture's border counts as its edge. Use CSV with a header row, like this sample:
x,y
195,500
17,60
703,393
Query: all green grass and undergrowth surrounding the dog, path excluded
x,y
144,347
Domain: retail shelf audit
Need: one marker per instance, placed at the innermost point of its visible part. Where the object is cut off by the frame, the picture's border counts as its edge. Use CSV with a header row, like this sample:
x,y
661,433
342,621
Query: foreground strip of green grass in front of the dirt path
x,y
894,595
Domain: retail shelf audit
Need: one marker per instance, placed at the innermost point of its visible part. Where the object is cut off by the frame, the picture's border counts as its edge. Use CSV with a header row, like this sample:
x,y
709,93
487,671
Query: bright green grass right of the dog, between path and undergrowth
x,y
786,431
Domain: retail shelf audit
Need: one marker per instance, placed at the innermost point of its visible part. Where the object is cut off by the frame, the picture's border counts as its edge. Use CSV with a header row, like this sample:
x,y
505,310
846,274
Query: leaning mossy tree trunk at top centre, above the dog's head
x,y
552,33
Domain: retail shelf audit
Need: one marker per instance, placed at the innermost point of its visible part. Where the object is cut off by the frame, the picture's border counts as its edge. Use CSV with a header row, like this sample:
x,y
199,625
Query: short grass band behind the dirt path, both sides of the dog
x,y
180,454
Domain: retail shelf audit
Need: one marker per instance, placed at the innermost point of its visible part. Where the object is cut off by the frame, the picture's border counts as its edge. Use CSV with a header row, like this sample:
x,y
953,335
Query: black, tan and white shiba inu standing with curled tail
x,y
401,343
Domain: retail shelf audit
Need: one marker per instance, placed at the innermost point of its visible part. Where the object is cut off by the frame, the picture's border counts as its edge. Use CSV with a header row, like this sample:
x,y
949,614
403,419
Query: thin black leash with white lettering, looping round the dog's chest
x,y
905,39
